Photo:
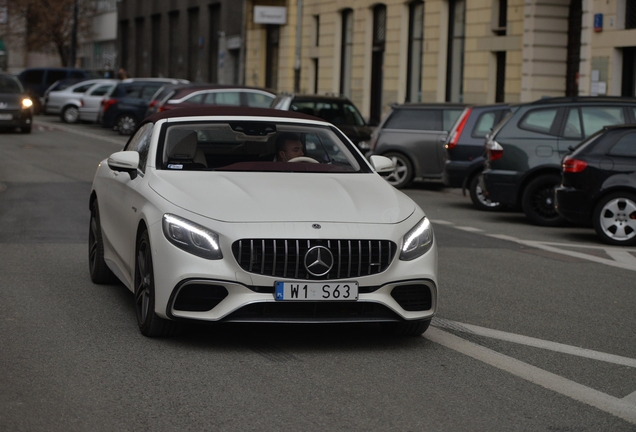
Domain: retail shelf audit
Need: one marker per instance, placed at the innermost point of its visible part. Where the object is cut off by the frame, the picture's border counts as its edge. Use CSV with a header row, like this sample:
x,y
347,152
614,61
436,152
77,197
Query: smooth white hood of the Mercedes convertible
x,y
284,197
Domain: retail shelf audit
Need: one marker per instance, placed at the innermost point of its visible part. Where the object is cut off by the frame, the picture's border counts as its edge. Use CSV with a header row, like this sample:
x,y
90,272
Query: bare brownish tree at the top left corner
x,y
47,24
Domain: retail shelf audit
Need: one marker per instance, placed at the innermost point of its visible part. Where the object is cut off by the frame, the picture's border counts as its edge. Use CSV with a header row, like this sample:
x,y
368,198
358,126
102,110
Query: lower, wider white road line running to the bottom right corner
x,y
548,380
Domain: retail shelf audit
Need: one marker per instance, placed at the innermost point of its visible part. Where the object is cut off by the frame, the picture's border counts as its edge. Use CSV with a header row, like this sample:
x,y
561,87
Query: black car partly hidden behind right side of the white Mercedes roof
x,y
336,109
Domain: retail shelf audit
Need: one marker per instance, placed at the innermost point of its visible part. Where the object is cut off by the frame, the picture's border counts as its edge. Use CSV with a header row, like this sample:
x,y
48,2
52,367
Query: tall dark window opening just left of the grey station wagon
x,y
377,62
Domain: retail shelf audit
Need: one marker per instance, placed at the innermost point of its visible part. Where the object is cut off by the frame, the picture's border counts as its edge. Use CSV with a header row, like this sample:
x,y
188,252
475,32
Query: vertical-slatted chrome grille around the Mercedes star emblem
x,y
285,258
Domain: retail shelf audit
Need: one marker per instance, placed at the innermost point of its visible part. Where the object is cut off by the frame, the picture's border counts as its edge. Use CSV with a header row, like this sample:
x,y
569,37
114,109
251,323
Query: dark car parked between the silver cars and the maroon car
x,y
127,104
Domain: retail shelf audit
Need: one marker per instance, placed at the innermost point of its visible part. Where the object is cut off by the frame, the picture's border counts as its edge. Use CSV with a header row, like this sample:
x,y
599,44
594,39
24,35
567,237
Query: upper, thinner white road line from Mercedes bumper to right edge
x,y
539,343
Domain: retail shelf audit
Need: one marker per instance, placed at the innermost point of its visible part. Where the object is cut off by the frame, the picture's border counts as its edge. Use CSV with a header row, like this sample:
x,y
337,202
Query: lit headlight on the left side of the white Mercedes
x,y
191,237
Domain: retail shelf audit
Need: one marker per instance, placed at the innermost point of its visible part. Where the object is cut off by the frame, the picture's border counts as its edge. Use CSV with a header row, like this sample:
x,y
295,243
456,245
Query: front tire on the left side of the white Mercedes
x,y
150,324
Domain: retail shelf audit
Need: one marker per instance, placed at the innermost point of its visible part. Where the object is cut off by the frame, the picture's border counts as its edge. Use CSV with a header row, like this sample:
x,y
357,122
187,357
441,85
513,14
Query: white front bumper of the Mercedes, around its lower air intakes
x,y
189,287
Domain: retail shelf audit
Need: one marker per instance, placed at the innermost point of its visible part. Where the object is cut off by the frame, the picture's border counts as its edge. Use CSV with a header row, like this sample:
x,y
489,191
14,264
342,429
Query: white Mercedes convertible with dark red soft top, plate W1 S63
x,y
209,241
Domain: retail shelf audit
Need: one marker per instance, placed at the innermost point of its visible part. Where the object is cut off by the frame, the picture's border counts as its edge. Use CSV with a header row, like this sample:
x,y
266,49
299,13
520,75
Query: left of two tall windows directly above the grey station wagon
x,y
416,40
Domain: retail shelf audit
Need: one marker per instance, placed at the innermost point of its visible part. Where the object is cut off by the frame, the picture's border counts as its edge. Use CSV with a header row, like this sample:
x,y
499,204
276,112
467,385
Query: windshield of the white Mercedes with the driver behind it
x,y
255,146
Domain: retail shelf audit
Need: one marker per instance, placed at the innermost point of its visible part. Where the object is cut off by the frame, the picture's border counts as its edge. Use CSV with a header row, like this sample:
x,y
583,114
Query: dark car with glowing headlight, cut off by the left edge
x,y
16,108
